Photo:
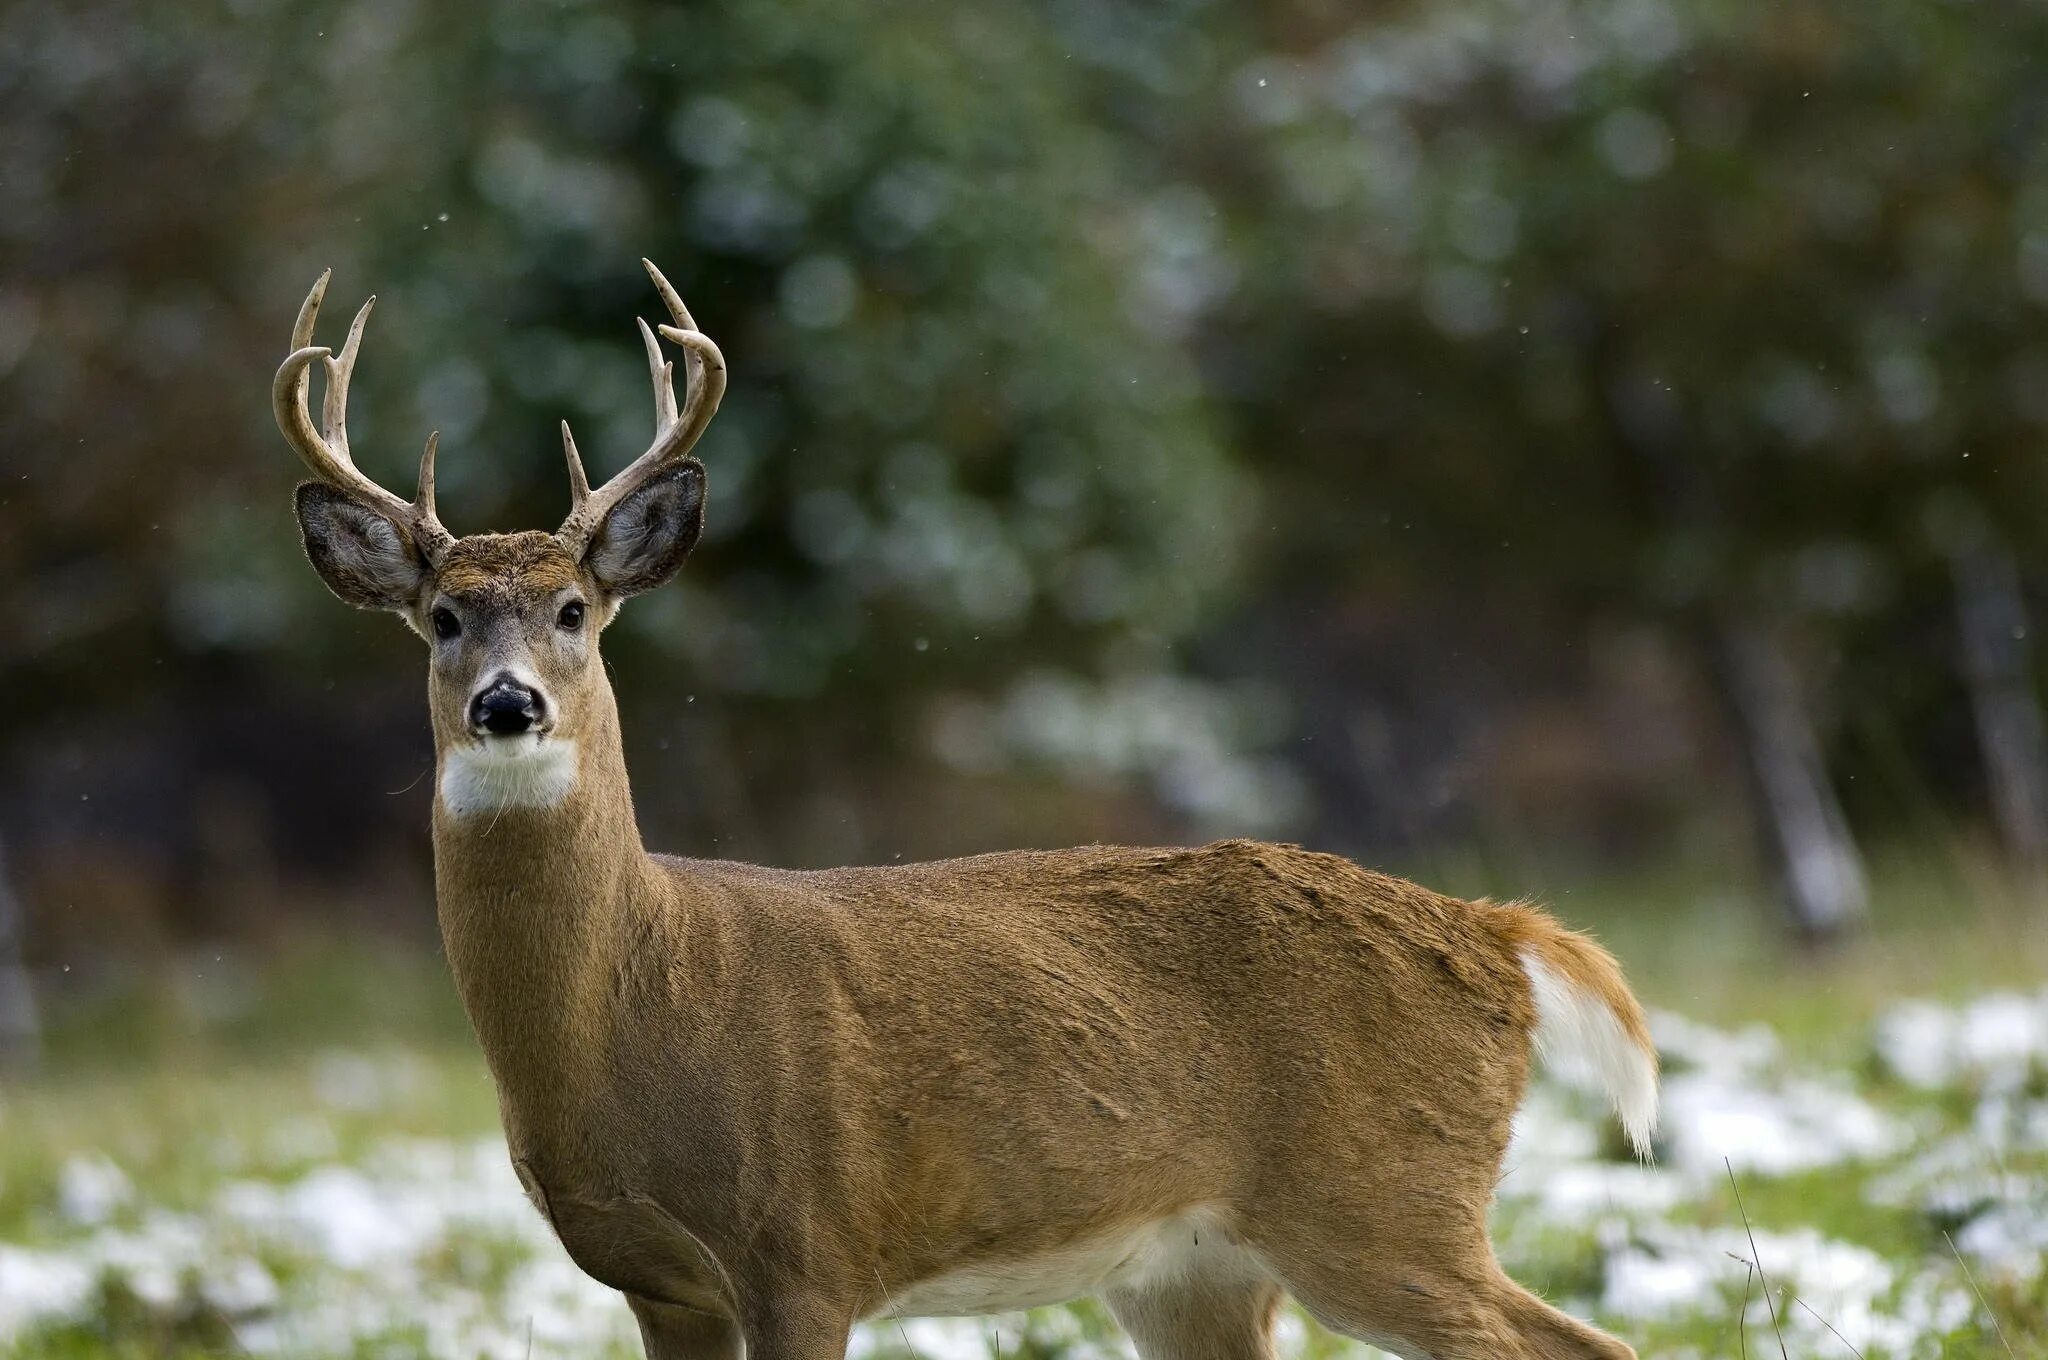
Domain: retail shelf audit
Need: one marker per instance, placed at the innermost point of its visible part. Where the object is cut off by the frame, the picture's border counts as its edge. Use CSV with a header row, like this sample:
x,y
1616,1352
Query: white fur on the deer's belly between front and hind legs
x,y
1189,1244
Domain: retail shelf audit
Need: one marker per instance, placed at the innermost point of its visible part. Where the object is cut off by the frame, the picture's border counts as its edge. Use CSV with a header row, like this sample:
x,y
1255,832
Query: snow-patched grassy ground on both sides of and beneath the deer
x,y
302,1160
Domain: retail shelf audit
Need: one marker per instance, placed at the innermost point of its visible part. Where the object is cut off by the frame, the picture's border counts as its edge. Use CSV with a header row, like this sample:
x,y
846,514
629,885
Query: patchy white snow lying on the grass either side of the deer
x,y
433,1246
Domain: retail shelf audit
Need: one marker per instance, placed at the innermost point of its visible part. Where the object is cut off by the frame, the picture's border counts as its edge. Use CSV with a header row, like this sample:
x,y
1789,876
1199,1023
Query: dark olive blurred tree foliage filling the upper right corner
x,y
1654,310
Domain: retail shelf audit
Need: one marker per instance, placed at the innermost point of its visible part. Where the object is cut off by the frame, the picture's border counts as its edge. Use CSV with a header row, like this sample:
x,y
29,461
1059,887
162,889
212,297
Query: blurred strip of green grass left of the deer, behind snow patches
x,y
177,1091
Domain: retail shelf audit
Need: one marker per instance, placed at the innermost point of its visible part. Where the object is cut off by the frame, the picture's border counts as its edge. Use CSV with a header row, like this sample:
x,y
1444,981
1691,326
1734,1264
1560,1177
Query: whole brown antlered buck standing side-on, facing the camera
x,y
769,1105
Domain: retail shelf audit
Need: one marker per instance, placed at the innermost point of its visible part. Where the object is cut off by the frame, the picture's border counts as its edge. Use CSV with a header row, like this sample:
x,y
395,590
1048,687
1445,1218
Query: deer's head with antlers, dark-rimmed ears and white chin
x,y
511,620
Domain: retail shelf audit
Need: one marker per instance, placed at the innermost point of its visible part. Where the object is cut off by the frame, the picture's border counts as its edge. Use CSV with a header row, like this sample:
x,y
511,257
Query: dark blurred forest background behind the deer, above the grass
x,y
1523,441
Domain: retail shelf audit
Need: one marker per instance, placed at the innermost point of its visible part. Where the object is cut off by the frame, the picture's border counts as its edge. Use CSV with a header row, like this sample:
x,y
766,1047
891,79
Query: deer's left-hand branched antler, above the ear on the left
x,y
327,452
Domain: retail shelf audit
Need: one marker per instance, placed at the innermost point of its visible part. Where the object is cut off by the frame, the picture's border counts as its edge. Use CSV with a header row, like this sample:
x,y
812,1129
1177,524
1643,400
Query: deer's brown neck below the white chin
x,y
538,906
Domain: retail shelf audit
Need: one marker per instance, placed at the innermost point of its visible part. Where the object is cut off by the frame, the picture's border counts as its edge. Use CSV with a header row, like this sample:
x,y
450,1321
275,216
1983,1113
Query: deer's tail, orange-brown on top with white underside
x,y
1590,1029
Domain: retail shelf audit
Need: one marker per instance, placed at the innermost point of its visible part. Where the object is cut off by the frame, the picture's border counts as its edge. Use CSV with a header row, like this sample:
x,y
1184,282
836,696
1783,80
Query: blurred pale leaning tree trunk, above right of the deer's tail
x,y
1822,869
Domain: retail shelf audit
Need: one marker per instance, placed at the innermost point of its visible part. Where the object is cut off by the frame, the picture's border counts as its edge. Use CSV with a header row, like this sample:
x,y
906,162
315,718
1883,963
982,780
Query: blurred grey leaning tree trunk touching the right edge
x,y
2000,671
